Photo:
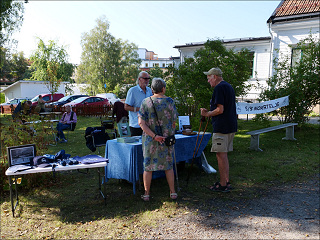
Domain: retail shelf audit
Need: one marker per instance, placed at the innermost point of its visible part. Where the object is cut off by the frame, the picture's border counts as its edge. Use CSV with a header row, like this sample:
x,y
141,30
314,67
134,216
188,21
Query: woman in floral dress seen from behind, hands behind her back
x,y
157,156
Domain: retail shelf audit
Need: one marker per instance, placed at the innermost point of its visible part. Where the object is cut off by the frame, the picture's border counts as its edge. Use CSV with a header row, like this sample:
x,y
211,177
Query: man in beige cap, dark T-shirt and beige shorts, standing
x,y
224,122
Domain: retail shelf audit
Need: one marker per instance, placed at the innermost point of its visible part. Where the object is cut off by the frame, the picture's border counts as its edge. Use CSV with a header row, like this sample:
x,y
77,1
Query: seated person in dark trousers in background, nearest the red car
x,y
65,122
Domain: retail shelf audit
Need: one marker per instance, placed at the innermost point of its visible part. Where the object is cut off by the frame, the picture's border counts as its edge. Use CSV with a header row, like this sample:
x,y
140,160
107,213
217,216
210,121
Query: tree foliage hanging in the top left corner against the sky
x,y
11,18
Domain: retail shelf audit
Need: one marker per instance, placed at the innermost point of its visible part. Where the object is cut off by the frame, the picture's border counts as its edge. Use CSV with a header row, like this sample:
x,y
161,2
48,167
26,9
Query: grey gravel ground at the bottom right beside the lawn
x,y
285,212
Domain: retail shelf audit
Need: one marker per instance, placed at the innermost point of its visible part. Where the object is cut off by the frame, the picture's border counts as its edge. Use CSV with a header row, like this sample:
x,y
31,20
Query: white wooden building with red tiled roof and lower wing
x,y
291,21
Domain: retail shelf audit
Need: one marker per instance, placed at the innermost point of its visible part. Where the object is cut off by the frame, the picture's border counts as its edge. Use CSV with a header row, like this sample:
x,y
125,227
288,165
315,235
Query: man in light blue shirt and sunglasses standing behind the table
x,y
134,98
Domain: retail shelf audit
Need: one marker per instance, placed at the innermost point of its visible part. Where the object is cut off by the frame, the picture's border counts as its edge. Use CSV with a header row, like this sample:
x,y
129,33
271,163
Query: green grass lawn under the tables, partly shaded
x,y
69,205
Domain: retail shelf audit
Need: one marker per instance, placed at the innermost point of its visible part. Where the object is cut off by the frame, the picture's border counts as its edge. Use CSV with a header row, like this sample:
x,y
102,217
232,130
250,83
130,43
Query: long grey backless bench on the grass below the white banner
x,y
254,144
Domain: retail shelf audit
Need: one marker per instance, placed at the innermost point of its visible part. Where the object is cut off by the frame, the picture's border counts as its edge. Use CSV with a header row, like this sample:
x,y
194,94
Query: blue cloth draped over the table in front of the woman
x,y
126,159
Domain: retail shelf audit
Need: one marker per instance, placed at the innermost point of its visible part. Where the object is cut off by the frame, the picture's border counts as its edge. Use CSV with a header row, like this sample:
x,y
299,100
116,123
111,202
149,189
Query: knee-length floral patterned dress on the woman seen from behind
x,y
158,156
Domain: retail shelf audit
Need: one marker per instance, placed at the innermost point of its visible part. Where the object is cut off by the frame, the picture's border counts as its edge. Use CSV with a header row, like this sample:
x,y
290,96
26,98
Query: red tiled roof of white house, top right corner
x,y
295,9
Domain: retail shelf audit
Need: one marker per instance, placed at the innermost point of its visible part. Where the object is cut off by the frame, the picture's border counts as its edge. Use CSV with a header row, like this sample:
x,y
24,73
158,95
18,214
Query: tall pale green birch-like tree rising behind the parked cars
x,y
107,63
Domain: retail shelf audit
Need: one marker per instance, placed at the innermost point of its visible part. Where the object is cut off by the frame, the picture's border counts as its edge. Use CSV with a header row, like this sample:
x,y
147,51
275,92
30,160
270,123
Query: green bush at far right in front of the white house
x,y
299,80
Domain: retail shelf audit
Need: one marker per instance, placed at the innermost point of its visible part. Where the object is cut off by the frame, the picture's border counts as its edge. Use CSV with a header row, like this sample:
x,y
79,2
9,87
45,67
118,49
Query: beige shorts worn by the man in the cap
x,y
222,142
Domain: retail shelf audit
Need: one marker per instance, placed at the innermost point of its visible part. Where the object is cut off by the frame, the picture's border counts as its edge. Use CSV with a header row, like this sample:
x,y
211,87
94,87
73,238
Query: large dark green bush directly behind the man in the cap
x,y
188,85
